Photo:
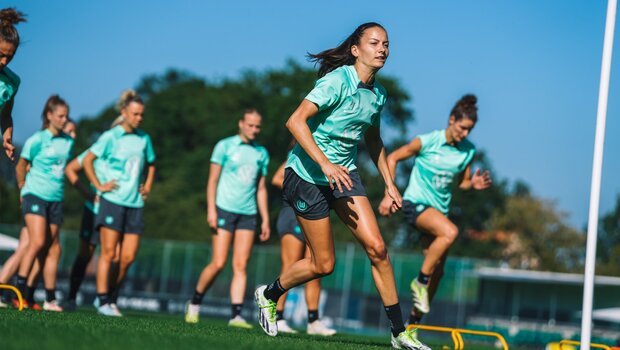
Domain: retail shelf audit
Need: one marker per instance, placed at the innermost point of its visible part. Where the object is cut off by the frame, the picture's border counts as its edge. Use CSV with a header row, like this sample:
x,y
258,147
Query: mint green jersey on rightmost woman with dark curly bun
x,y
435,168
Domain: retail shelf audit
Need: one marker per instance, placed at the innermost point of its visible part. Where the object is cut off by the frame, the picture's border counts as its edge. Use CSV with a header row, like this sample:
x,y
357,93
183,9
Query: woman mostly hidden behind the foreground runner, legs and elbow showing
x,y
293,248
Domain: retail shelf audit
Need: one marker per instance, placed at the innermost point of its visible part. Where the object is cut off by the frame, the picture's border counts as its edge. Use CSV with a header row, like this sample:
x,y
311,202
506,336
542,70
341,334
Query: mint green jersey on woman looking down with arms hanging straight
x,y
243,164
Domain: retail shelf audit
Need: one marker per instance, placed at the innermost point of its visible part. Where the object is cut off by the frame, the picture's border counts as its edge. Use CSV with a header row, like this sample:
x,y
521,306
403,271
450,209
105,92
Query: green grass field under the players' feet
x,y
87,330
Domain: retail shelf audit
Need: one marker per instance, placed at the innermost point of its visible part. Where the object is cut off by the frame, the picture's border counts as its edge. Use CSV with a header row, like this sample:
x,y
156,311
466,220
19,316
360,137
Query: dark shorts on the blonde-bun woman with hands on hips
x,y
119,218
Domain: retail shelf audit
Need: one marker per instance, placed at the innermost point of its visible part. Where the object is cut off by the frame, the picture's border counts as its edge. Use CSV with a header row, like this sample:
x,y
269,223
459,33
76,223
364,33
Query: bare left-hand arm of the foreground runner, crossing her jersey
x,y
337,175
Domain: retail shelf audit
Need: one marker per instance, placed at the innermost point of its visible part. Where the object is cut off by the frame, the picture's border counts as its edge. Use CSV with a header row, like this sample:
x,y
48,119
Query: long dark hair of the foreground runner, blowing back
x,y
341,55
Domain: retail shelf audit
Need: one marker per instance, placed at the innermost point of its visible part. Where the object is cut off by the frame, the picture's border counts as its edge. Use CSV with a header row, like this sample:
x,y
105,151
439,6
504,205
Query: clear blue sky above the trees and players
x,y
535,66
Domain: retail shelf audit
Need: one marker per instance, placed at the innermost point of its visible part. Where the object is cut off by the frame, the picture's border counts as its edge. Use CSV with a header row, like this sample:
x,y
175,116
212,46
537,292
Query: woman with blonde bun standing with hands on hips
x,y
126,150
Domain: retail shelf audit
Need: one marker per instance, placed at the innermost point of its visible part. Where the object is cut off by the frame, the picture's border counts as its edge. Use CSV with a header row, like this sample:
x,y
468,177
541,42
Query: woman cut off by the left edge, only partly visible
x,y
9,81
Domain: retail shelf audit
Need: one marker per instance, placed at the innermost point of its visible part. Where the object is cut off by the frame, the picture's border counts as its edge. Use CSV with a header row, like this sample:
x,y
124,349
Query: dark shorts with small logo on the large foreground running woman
x,y
313,202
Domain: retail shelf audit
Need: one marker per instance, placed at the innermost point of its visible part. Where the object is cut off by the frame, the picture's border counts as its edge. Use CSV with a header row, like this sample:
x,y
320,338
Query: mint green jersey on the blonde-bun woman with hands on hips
x,y
125,156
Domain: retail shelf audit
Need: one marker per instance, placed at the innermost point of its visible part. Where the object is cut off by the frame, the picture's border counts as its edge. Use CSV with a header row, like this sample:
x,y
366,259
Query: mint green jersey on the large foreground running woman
x,y
347,108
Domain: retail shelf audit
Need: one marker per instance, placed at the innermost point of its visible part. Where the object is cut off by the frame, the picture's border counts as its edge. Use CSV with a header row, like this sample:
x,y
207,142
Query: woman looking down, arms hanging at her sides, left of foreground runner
x,y
236,187
